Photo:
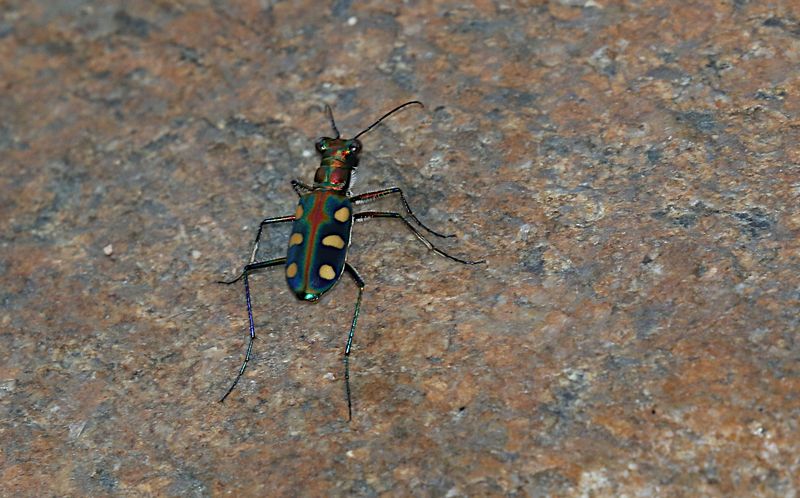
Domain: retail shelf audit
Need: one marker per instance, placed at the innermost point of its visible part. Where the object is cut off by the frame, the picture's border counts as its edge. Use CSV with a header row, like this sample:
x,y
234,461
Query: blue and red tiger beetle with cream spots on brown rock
x,y
321,226
